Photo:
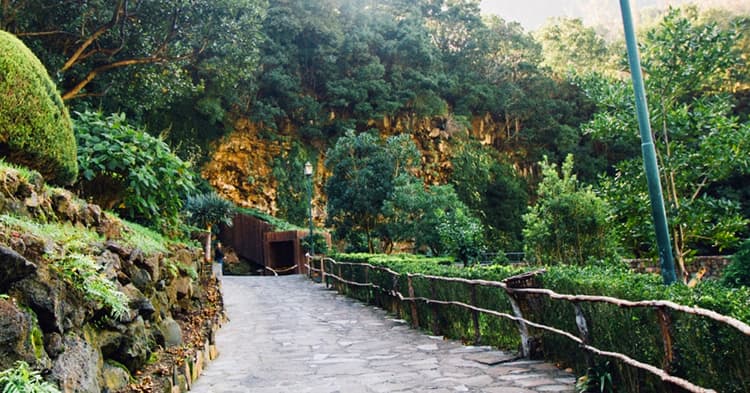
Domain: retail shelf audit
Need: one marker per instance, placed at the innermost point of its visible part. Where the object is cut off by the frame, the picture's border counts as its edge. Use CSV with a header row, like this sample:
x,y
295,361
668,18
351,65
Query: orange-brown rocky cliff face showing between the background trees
x,y
241,165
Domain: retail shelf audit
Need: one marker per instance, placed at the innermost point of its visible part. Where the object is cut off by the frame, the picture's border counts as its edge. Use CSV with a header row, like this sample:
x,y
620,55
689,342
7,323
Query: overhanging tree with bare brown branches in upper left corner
x,y
127,50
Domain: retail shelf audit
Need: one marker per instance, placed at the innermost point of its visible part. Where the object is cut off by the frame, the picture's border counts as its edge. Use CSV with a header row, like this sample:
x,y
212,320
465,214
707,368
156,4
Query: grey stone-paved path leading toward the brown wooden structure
x,y
288,334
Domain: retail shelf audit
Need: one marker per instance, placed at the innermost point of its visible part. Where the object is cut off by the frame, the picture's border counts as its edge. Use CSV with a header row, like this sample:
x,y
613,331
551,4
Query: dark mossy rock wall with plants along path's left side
x,y
49,316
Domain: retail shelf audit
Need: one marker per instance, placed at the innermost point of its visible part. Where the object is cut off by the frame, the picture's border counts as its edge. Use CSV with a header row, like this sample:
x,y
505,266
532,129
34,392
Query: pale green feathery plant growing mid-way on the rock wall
x,y
82,272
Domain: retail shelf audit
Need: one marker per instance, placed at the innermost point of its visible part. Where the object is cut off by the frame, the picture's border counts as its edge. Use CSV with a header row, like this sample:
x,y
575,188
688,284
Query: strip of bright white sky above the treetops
x,y
533,14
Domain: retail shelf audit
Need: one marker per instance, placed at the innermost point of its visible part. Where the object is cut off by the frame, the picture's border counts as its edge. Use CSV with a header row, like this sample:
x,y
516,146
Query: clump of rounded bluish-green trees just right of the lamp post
x,y
373,194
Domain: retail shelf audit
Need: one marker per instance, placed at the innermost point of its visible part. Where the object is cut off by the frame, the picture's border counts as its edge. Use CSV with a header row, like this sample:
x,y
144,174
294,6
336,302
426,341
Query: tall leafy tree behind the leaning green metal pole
x,y
699,142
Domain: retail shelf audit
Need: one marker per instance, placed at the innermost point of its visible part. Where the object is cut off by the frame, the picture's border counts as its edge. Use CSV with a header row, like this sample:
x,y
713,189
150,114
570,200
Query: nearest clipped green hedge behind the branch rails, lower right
x,y
710,354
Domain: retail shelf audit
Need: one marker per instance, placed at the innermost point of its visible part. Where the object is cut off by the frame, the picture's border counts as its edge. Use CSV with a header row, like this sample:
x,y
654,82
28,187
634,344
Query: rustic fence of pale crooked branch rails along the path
x,y
517,291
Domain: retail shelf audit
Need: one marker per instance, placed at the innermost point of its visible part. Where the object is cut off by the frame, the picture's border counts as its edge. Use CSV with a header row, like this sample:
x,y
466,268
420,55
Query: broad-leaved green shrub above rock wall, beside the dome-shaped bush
x,y
126,169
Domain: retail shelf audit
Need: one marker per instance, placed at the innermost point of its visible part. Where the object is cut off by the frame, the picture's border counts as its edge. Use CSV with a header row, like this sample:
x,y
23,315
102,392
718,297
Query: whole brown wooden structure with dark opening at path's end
x,y
255,240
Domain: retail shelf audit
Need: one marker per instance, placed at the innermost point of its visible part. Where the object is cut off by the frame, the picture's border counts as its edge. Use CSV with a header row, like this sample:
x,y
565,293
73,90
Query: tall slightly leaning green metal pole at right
x,y
649,152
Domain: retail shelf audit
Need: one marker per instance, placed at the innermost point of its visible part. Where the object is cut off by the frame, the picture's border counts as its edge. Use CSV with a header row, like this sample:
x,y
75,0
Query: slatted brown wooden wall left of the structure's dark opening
x,y
246,237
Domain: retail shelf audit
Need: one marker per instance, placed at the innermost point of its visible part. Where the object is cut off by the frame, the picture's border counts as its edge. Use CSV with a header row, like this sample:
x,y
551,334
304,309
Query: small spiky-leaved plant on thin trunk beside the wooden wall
x,y
207,210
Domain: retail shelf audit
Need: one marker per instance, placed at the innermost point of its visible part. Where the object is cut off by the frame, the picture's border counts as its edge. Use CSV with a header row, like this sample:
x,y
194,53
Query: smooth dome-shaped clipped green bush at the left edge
x,y
35,128
